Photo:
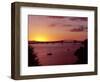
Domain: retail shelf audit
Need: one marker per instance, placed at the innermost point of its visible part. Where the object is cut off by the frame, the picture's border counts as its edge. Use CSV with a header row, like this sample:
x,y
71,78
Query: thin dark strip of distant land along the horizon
x,y
61,41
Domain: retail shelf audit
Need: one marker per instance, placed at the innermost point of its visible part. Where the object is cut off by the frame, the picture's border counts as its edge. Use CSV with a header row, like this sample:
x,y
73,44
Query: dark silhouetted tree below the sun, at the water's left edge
x,y
32,57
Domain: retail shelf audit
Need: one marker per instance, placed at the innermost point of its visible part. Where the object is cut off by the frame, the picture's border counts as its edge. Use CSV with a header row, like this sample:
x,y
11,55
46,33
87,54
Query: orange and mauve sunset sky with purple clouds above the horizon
x,y
56,28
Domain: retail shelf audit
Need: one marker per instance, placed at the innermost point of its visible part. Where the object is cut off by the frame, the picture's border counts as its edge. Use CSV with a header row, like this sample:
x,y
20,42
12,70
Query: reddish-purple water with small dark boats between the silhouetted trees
x,y
56,53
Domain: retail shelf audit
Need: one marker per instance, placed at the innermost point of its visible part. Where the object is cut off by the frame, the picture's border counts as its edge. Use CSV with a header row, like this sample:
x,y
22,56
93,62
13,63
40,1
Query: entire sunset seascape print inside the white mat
x,y
57,40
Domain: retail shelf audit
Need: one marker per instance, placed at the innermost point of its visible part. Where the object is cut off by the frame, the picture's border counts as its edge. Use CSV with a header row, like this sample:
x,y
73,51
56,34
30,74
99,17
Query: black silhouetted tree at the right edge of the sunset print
x,y
82,53
